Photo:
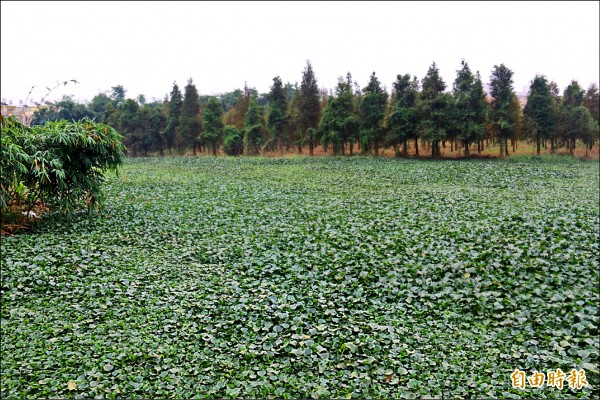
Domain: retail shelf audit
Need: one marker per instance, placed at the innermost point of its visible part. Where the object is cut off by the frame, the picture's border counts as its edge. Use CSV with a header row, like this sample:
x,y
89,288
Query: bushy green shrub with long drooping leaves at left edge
x,y
61,163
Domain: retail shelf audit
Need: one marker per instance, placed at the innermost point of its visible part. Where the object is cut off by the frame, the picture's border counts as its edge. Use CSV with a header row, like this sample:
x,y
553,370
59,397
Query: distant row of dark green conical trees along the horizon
x,y
349,119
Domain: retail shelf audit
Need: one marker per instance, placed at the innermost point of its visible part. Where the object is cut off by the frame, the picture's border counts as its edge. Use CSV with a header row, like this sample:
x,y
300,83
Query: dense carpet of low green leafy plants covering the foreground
x,y
310,277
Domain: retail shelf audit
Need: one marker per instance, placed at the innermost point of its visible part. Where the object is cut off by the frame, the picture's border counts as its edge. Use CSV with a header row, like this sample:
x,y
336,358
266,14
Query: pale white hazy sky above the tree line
x,y
146,46
